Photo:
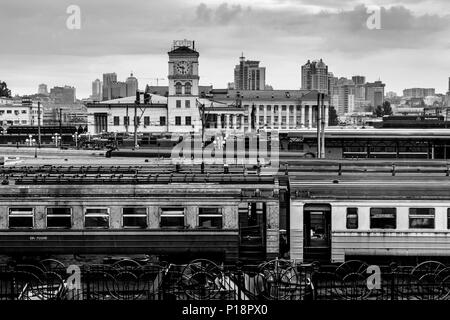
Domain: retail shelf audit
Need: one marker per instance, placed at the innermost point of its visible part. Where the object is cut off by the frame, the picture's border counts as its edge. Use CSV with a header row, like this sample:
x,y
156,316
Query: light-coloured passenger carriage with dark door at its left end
x,y
370,215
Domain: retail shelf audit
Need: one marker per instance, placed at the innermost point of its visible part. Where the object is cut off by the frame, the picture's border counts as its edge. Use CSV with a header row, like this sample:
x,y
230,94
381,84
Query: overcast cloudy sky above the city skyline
x,y
412,48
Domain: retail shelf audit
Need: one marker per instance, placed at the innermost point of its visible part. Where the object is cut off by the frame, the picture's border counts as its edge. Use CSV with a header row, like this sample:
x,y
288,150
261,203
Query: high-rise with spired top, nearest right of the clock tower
x,y
248,75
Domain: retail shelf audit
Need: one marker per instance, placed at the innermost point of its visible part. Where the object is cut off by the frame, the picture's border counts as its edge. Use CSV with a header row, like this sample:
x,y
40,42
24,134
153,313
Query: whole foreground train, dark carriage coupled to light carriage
x,y
332,211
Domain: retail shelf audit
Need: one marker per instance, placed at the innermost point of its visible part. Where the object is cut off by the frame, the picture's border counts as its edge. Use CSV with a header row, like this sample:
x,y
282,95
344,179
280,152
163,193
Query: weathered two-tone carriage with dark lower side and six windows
x,y
173,216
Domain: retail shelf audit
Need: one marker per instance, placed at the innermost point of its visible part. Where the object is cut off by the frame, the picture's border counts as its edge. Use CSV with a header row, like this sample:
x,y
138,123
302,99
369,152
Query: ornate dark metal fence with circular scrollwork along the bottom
x,y
205,280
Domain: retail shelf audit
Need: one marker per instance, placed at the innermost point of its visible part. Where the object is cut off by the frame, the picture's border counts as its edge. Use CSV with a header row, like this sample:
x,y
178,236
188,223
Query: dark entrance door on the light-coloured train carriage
x,y
317,232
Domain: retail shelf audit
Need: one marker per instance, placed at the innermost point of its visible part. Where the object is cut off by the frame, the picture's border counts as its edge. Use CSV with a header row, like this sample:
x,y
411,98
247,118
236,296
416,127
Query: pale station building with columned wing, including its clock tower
x,y
178,107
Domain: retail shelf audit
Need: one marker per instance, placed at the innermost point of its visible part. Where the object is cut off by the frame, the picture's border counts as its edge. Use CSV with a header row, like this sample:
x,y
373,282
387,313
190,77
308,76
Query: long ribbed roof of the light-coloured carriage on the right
x,y
376,180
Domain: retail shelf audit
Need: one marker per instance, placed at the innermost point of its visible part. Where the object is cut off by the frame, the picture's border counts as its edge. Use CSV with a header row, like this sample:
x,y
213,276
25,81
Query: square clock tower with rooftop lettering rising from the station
x,y
183,114
